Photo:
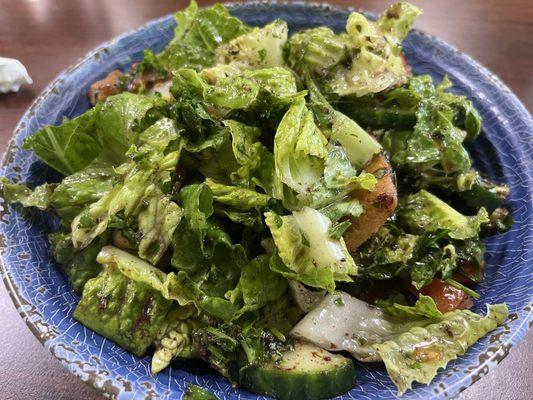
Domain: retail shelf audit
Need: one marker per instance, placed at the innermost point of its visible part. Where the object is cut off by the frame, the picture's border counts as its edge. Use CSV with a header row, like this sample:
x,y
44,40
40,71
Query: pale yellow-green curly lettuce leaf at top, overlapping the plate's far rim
x,y
365,59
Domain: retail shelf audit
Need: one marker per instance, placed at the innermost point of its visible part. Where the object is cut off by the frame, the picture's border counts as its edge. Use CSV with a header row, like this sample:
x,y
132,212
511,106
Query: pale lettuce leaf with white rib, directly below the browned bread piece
x,y
307,251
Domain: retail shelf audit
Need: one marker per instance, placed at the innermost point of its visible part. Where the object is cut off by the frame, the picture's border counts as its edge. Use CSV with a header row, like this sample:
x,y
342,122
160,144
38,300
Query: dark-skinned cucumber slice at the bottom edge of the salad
x,y
307,372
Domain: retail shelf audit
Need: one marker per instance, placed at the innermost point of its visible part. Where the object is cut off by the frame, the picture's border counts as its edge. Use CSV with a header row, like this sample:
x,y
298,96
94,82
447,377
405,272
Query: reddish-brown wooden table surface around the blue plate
x,y
49,35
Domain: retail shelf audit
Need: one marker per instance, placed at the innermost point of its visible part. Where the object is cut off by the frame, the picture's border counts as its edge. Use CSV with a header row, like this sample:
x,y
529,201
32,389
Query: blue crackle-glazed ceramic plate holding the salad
x,y
46,302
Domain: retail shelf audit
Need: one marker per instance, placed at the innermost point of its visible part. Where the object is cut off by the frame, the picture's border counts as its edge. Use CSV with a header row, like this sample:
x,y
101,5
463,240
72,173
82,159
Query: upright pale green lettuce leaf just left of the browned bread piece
x,y
314,172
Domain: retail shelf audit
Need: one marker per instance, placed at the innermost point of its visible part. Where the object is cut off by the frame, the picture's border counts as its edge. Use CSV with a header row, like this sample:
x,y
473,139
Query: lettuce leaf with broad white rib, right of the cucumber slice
x,y
413,343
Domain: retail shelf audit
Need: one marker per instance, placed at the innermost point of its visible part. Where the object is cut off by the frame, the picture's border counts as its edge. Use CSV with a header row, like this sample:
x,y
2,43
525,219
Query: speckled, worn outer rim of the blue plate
x,y
20,302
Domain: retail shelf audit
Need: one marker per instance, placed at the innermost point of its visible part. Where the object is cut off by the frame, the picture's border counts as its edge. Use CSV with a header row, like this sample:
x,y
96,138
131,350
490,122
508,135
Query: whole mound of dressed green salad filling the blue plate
x,y
263,202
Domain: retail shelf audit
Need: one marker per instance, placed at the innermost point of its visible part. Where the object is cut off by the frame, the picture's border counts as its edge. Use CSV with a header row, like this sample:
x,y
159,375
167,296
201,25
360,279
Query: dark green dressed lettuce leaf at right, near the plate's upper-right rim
x,y
434,109
